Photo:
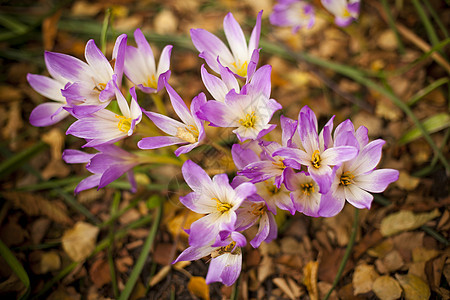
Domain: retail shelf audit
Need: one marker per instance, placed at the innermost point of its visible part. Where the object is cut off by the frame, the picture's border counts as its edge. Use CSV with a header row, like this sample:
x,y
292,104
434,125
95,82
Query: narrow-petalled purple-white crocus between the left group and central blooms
x,y
190,131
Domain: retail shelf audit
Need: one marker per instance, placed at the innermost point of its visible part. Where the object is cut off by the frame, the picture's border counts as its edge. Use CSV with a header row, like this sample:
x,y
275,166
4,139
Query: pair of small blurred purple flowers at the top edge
x,y
299,13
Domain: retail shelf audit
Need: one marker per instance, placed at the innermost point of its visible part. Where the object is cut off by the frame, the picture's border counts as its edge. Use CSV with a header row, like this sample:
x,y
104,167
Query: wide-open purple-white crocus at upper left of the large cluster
x,y
91,86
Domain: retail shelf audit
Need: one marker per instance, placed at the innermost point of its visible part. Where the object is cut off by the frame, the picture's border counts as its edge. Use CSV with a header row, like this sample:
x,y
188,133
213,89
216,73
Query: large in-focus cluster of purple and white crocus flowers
x,y
310,172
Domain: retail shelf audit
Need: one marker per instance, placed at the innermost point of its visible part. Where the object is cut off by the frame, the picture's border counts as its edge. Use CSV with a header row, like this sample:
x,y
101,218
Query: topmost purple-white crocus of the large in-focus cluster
x,y
242,59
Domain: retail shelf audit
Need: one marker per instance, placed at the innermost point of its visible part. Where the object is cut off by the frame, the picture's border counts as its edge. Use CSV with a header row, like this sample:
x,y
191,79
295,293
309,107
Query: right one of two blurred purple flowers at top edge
x,y
344,11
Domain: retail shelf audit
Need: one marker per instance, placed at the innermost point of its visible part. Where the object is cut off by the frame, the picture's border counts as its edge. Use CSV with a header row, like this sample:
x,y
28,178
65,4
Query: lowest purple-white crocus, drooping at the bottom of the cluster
x,y
226,258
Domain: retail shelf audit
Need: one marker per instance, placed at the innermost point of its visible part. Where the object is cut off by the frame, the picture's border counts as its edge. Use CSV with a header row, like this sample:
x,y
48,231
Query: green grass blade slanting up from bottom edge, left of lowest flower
x,y
142,257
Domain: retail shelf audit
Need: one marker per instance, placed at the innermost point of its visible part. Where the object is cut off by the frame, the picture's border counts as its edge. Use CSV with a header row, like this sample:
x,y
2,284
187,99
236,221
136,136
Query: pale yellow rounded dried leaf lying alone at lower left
x,y
79,241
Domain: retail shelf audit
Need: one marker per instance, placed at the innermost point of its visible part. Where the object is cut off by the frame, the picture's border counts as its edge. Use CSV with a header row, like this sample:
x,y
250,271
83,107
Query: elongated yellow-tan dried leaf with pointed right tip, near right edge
x,y
405,220
